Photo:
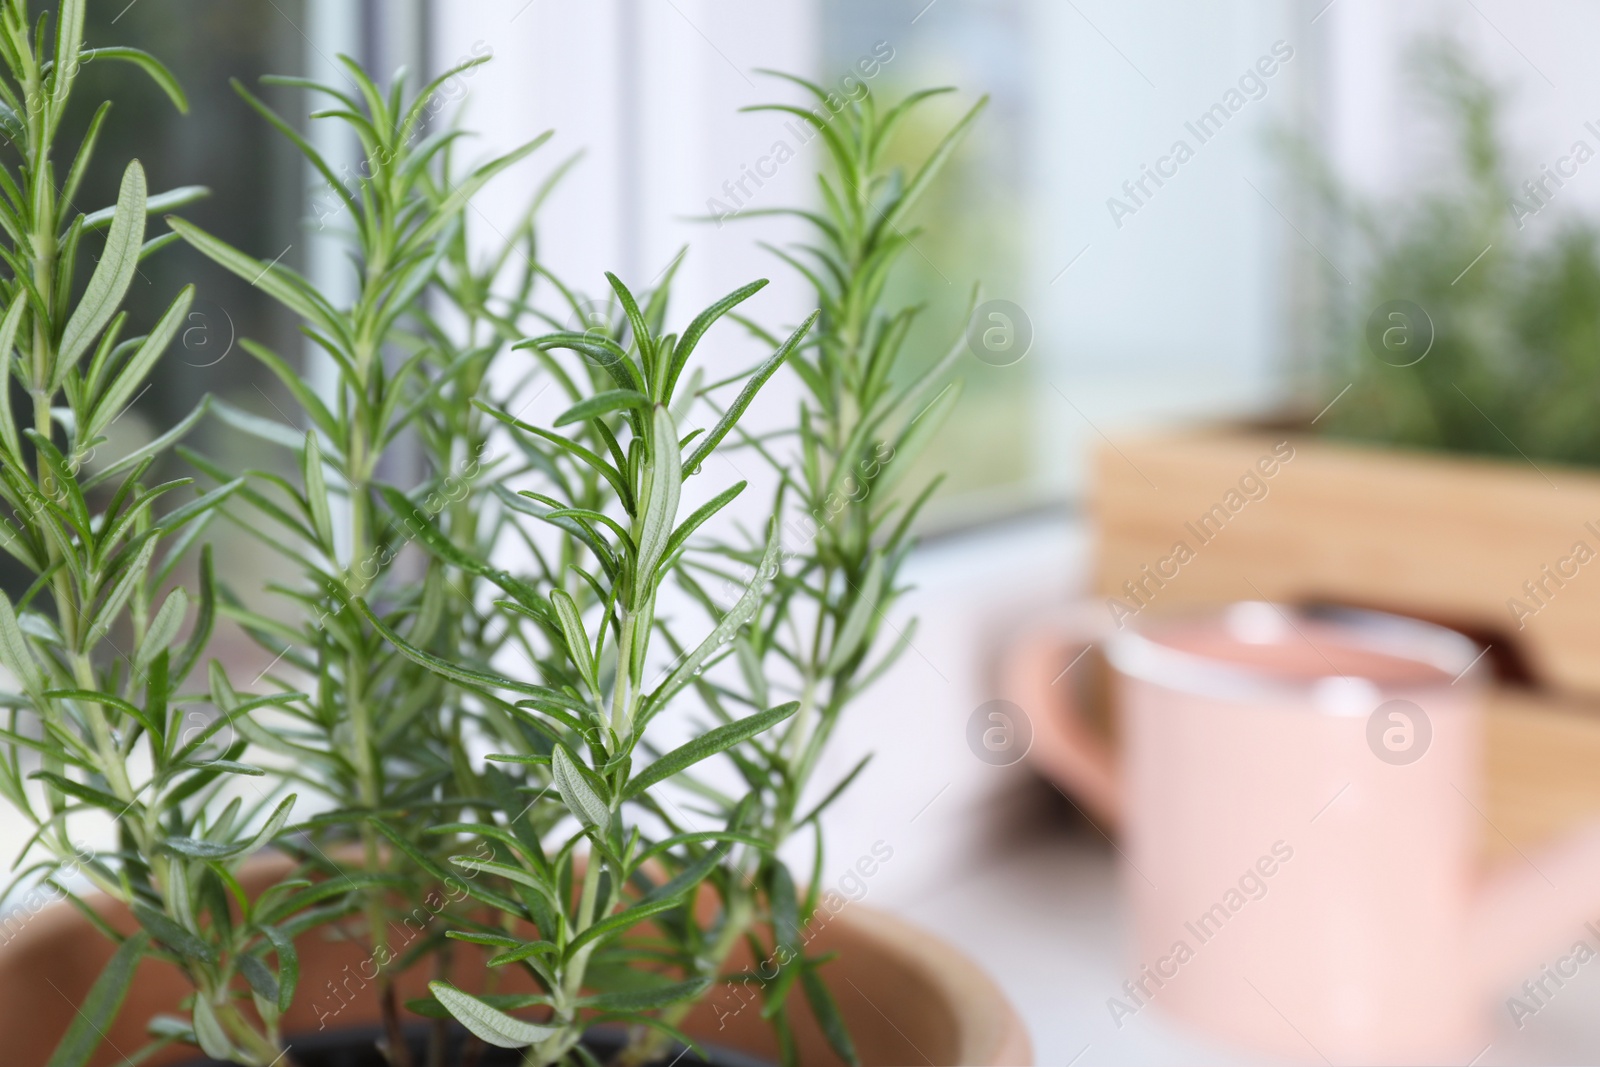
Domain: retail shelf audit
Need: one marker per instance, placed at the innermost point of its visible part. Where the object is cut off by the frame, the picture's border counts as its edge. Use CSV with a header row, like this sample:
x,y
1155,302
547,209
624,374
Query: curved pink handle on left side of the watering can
x,y
1066,749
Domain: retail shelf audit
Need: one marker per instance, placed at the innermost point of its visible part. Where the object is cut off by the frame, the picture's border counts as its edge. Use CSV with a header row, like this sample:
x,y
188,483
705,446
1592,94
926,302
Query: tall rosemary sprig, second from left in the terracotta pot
x,y
380,738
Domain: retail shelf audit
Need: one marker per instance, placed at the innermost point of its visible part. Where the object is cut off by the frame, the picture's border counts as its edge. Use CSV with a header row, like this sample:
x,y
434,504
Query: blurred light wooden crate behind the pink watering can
x,y
1505,551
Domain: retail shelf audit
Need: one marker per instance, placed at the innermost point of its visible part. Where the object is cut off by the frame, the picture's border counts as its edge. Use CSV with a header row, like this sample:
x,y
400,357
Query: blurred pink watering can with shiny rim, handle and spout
x,y
1300,805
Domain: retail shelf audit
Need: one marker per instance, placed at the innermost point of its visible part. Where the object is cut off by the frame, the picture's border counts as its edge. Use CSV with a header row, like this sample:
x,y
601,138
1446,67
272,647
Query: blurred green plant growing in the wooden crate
x,y
1514,313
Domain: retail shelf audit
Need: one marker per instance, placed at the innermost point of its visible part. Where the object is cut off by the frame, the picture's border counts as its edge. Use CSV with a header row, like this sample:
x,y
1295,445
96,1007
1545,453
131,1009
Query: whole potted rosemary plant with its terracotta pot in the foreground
x,y
330,869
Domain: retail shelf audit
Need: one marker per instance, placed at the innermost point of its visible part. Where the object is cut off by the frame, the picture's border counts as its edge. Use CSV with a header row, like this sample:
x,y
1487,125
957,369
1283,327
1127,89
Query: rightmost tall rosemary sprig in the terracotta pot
x,y
857,434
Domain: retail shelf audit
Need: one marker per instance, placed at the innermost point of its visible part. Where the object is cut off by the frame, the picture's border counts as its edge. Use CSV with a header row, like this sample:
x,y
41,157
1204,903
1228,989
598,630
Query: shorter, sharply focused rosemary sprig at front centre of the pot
x,y
607,871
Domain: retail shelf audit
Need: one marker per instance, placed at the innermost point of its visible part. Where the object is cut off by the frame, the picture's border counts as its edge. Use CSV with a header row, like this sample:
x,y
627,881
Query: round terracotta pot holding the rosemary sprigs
x,y
908,997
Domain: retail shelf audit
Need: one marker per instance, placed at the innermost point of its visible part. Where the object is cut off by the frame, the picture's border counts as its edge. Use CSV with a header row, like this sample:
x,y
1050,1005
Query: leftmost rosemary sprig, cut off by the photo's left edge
x,y
94,644
